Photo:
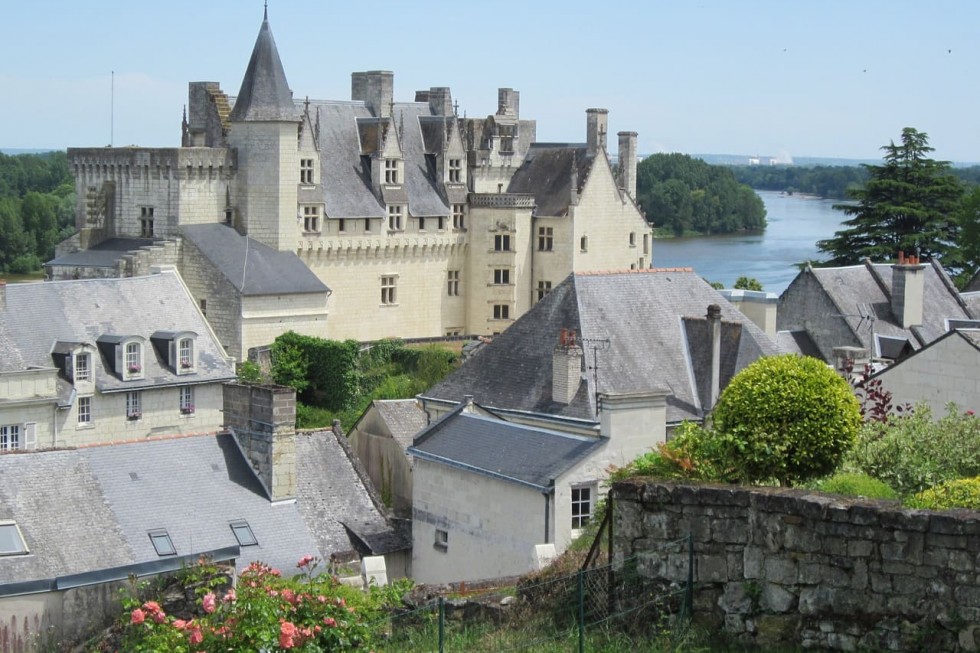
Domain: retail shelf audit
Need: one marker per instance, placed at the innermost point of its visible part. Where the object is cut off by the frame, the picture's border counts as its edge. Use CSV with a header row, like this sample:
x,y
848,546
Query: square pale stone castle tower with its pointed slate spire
x,y
264,123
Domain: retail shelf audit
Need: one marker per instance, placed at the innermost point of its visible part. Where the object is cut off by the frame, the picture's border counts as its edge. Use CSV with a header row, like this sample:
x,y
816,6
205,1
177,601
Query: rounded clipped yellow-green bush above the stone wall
x,y
785,418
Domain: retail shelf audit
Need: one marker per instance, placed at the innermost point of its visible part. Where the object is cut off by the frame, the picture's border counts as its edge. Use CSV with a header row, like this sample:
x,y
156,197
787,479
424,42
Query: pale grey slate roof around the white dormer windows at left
x,y
39,315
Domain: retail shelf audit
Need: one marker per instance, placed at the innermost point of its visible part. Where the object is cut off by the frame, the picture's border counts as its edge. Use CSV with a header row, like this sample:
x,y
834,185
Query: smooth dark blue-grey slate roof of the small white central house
x,y
511,452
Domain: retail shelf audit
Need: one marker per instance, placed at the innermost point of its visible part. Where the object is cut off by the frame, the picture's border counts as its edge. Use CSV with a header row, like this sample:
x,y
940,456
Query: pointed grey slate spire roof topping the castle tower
x,y
264,95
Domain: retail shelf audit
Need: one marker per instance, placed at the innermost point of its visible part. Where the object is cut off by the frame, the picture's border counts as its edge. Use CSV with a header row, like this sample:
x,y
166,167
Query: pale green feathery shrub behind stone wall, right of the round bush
x,y
914,452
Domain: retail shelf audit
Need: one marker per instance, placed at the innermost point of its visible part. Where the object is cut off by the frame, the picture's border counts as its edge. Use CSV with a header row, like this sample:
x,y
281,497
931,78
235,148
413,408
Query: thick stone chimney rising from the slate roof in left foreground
x,y
263,420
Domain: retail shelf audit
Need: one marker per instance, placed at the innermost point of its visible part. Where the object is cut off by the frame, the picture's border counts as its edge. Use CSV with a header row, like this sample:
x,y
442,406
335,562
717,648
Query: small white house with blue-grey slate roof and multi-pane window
x,y
492,497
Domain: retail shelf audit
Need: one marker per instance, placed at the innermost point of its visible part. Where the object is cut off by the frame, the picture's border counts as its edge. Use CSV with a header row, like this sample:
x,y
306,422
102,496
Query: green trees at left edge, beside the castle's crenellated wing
x,y
37,209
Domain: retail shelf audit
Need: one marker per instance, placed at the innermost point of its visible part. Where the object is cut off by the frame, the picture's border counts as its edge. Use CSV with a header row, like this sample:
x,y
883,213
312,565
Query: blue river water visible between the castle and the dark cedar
x,y
796,223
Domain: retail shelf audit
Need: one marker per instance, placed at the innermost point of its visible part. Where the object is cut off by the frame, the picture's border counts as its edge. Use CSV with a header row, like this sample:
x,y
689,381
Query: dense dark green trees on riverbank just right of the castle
x,y
686,195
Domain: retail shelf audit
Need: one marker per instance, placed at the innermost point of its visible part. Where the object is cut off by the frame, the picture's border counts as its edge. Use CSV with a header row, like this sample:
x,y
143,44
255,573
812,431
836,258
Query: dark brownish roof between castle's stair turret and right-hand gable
x,y
550,172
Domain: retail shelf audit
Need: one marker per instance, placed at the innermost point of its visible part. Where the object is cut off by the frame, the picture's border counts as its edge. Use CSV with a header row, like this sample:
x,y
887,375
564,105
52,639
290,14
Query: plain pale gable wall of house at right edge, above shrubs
x,y
944,371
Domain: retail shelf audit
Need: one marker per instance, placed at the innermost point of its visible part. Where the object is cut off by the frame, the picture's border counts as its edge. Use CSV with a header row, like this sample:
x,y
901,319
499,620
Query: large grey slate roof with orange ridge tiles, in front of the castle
x,y
633,321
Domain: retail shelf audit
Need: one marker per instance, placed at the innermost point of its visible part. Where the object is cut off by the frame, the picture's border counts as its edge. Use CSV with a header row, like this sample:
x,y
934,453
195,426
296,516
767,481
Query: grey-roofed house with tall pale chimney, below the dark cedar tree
x,y
889,310
